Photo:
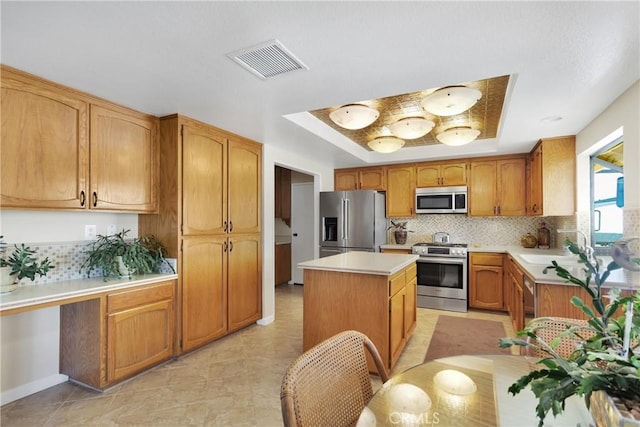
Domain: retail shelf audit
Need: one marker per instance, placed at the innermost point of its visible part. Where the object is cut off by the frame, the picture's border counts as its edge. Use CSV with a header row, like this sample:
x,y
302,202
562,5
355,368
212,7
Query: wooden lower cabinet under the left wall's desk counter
x,y
117,335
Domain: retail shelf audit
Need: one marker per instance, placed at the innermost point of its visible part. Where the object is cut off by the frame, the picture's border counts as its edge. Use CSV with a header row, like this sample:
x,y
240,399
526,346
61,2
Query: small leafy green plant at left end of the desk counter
x,y
20,264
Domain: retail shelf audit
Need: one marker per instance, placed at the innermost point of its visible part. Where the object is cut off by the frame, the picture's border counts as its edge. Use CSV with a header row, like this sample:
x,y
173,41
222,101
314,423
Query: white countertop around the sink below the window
x,y
618,278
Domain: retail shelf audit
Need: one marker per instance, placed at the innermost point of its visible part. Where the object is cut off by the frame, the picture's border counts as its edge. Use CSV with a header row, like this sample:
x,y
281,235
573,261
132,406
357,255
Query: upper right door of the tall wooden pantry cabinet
x,y
244,186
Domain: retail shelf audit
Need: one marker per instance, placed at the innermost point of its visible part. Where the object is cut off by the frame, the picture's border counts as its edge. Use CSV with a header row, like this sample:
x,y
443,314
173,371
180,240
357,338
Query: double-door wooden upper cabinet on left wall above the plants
x,y
46,126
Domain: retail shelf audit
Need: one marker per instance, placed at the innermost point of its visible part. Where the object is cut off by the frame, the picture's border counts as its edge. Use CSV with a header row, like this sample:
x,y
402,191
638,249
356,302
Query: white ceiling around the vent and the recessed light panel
x,y
568,59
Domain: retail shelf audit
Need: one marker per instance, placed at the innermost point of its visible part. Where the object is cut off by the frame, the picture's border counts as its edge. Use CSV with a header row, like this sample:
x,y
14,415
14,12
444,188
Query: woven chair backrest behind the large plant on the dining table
x,y
549,328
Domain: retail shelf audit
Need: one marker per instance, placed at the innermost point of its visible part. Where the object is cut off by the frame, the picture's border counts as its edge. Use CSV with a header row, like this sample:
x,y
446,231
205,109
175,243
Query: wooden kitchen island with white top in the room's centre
x,y
374,293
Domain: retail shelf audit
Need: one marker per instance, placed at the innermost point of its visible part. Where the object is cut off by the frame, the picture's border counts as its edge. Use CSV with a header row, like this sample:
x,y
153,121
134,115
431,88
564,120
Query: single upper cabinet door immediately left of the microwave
x,y
401,190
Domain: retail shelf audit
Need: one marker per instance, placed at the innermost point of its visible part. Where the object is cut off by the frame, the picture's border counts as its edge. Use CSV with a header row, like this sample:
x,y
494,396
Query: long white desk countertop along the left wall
x,y
33,295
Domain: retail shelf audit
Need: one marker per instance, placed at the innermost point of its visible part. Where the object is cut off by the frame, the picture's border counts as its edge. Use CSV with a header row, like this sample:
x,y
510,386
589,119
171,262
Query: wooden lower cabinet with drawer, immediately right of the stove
x,y
486,281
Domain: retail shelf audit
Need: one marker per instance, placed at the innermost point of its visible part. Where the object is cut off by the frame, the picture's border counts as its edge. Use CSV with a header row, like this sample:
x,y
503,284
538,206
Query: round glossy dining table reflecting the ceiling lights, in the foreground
x,y
460,391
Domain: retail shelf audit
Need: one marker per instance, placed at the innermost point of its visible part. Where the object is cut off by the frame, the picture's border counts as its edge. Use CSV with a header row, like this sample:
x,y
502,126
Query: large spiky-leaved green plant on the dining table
x,y
607,360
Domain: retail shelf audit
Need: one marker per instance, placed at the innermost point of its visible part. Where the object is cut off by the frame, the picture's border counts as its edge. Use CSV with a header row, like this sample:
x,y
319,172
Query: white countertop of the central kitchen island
x,y
361,262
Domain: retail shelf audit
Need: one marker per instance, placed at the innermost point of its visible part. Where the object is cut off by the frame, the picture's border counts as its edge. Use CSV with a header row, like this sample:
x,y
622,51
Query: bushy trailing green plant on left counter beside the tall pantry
x,y
116,255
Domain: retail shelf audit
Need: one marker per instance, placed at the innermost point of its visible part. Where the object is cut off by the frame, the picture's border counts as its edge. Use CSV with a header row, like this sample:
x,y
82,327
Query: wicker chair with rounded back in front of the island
x,y
329,384
